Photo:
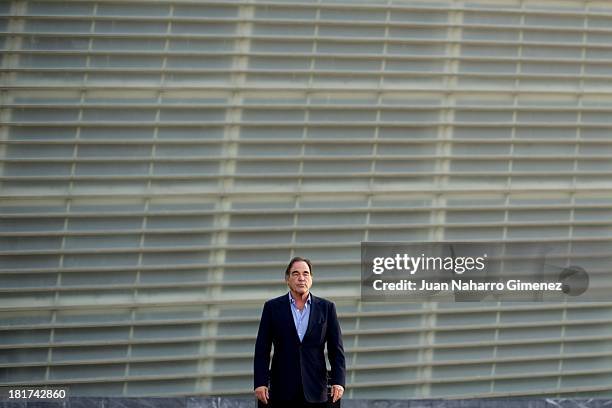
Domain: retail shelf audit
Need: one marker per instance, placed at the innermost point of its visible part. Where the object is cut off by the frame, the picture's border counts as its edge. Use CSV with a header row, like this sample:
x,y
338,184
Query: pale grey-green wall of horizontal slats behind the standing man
x,y
162,160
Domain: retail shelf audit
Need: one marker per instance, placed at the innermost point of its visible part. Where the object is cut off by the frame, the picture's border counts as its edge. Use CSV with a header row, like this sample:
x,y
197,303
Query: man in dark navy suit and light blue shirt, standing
x,y
299,325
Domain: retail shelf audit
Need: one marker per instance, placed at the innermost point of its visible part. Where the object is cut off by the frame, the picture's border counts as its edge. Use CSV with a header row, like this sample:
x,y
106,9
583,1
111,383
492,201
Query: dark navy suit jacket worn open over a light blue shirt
x,y
292,357
